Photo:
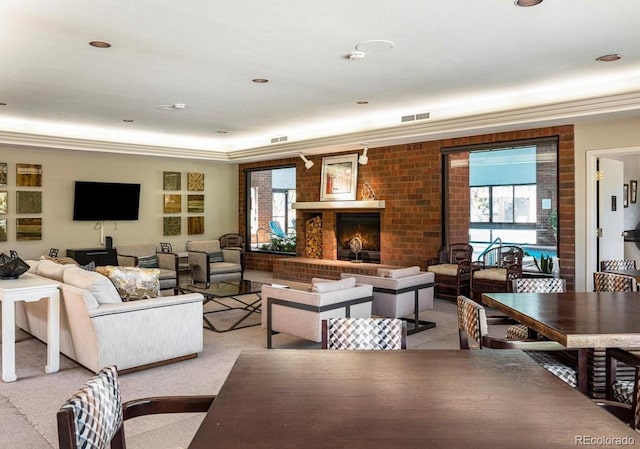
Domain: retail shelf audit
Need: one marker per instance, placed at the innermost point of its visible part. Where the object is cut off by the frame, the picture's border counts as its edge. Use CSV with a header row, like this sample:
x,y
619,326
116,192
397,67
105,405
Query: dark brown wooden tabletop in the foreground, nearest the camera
x,y
395,399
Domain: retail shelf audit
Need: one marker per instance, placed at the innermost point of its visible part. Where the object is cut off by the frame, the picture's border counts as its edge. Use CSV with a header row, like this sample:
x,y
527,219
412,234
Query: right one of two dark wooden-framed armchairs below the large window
x,y
496,270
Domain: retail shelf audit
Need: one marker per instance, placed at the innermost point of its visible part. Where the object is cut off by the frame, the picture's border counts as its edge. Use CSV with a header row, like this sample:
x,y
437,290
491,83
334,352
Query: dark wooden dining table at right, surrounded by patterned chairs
x,y
577,320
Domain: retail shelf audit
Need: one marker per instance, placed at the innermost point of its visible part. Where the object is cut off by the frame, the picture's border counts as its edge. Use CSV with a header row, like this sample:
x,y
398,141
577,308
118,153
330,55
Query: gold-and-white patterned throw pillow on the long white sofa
x,y
133,283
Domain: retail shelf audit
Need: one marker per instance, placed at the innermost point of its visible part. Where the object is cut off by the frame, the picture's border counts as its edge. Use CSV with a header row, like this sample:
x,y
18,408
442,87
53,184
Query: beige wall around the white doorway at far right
x,y
596,139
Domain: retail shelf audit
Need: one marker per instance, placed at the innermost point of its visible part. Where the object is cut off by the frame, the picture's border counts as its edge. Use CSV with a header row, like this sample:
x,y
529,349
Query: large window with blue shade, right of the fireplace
x,y
511,190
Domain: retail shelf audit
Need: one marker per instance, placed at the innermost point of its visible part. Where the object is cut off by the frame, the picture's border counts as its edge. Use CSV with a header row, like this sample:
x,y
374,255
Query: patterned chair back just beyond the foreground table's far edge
x,y
364,333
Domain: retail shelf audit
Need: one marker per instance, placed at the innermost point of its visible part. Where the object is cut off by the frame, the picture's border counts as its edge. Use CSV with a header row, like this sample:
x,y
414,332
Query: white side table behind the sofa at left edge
x,y
29,288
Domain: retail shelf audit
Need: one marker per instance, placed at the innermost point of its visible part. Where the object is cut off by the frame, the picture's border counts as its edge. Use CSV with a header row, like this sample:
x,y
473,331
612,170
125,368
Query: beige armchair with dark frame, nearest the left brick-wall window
x,y
210,263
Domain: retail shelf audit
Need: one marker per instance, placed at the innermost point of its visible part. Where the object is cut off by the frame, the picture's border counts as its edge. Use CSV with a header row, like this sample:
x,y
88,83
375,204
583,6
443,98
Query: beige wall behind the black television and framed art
x,y
61,168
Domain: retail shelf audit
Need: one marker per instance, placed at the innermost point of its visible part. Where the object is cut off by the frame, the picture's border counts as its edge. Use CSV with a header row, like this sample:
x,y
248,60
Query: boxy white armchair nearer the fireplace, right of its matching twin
x,y
398,293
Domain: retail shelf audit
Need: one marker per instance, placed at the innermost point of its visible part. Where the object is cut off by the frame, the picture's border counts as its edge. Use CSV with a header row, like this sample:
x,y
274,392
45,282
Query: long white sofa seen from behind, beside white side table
x,y
98,329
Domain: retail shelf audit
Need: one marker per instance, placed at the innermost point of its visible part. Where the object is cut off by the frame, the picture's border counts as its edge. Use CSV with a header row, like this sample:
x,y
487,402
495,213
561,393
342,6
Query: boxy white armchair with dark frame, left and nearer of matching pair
x,y
300,313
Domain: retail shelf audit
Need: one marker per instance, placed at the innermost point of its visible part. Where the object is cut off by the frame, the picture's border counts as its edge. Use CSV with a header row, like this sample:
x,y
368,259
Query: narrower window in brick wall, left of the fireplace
x,y
271,194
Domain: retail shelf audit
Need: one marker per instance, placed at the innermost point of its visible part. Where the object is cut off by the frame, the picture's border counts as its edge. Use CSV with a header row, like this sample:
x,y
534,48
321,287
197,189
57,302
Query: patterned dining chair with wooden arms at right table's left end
x,y
473,333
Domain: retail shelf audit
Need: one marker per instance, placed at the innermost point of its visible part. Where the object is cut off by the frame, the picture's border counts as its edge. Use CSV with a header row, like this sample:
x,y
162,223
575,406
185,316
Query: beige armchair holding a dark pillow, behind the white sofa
x,y
144,255
